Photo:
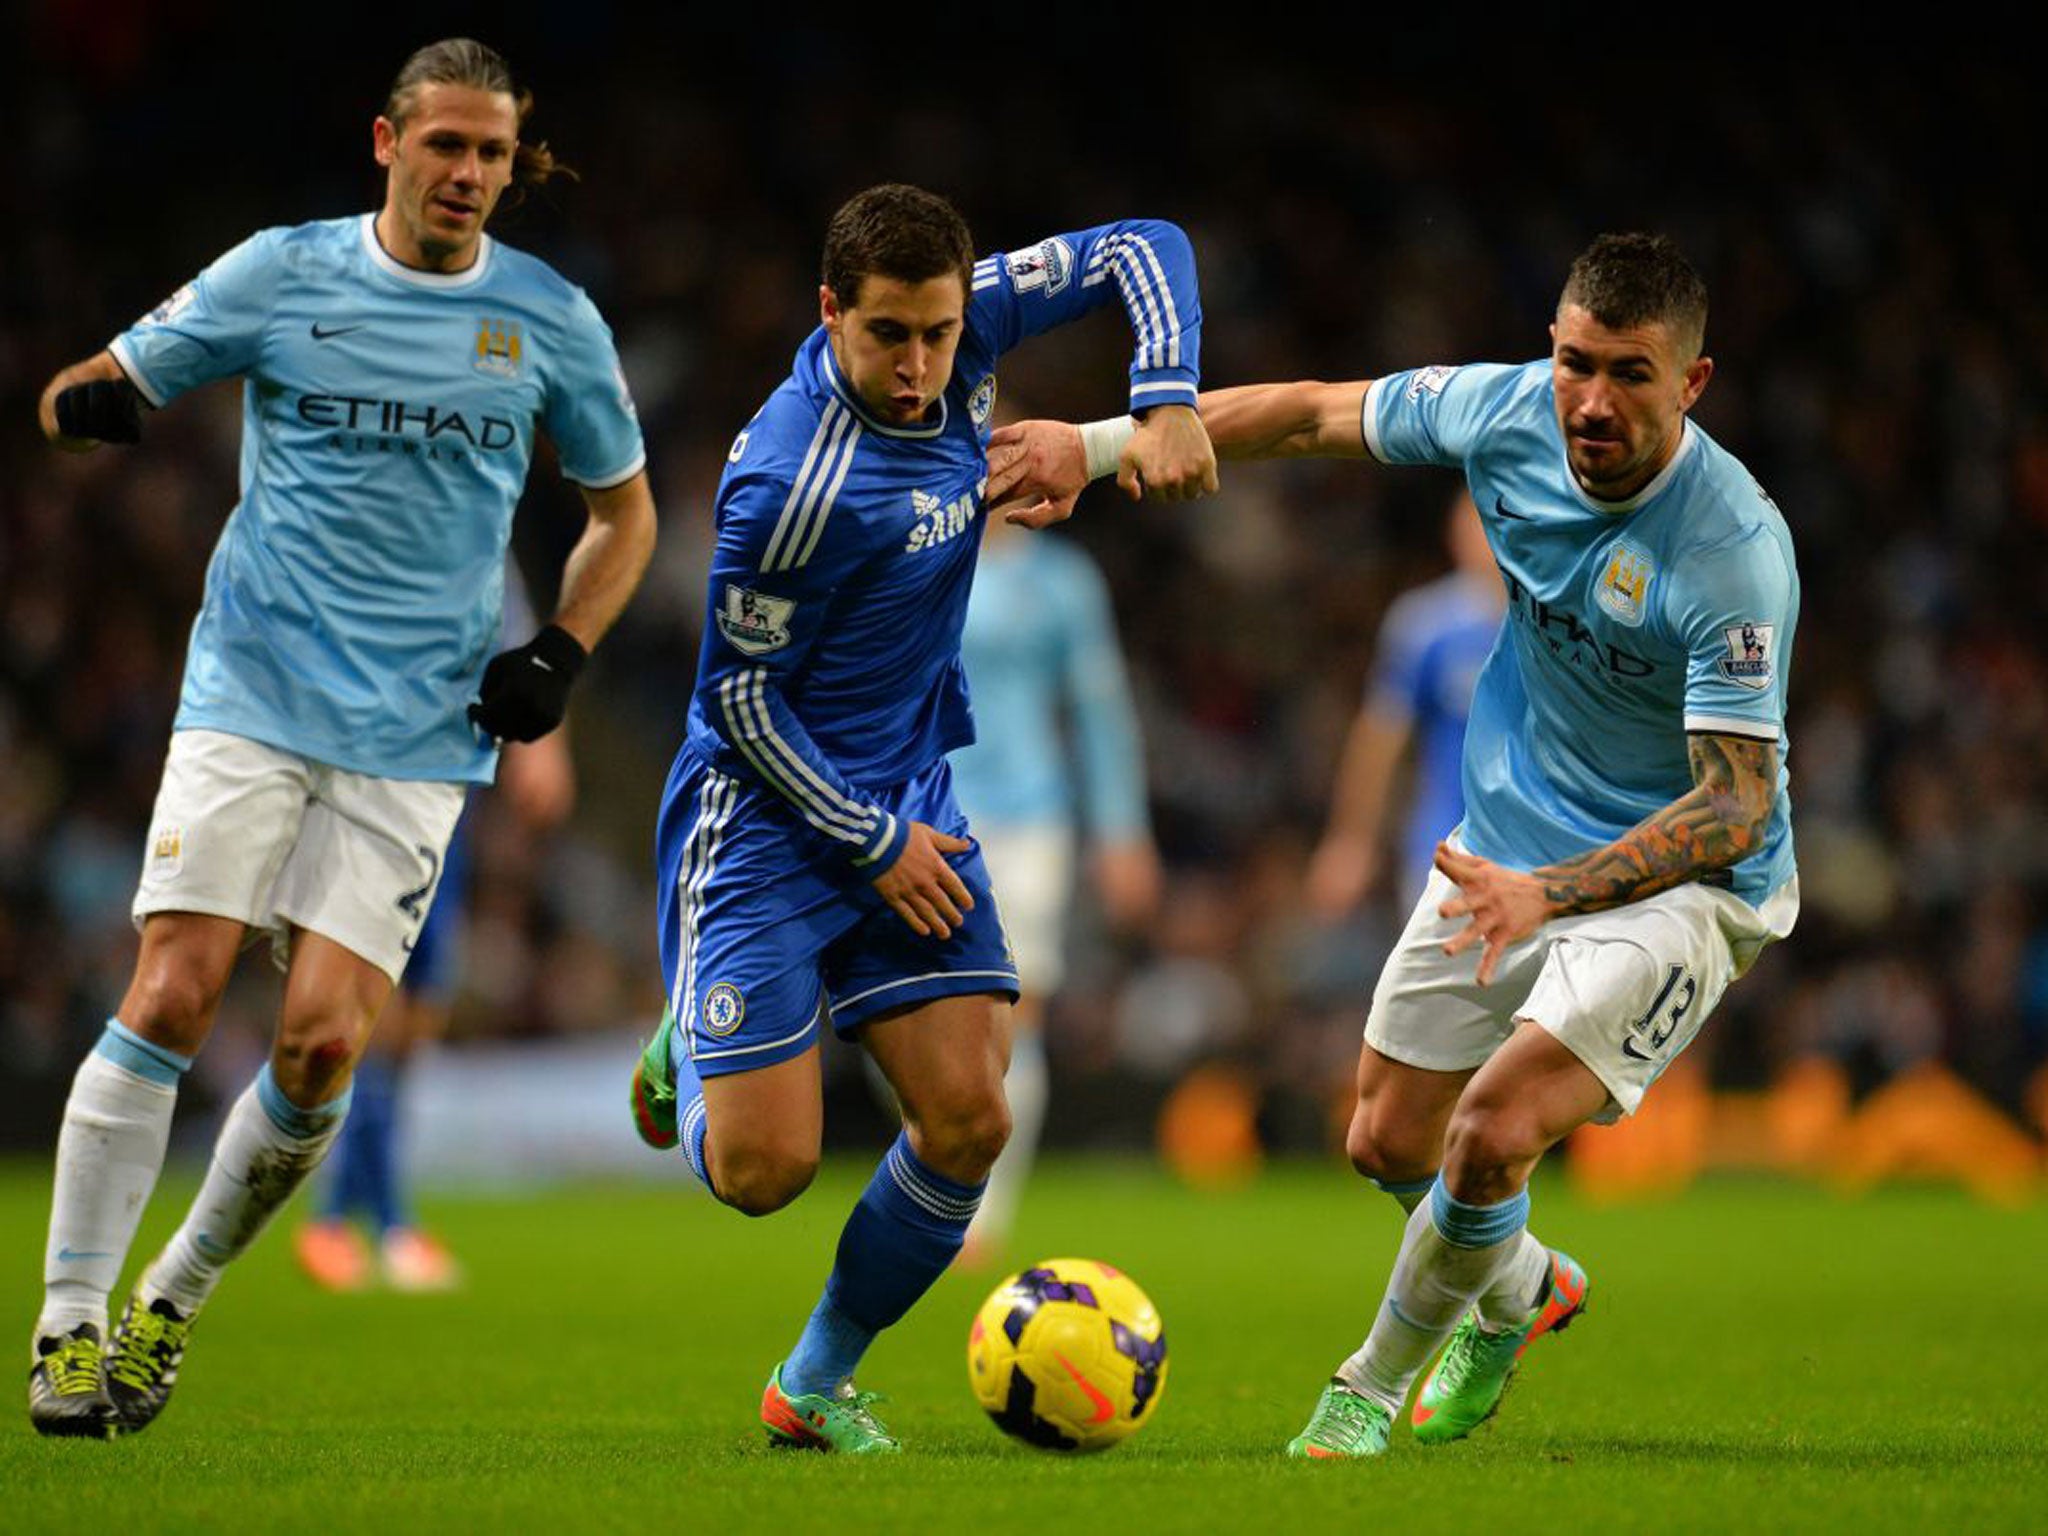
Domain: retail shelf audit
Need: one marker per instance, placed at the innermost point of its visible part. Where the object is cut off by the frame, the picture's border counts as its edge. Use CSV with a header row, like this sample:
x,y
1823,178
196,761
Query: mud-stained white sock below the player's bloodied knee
x,y
265,1152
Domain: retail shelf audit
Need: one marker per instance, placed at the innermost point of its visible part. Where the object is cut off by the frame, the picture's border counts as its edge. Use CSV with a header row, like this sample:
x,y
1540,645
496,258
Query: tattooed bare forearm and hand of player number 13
x,y
1713,826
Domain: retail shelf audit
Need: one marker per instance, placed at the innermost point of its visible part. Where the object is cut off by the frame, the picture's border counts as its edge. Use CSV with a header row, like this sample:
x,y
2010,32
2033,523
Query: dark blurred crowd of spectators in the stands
x,y
1881,331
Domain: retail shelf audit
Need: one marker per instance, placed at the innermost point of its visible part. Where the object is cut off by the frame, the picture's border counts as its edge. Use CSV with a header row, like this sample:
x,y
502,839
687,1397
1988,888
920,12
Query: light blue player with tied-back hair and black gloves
x,y
396,372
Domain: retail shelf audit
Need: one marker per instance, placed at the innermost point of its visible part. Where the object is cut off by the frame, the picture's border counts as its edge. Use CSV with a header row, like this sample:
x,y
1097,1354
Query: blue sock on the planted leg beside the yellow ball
x,y
898,1242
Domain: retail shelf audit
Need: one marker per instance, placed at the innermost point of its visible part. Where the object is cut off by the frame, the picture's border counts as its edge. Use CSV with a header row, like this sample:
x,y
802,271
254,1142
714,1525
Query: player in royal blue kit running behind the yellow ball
x,y
812,861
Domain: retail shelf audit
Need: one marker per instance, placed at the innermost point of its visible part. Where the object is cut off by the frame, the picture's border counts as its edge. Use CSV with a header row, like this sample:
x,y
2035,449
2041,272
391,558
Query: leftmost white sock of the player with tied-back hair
x,y
110,1152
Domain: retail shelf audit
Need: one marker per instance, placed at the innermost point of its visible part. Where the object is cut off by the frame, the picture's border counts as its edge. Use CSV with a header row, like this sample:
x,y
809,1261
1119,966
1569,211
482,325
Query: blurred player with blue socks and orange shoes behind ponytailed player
x,y
366,1175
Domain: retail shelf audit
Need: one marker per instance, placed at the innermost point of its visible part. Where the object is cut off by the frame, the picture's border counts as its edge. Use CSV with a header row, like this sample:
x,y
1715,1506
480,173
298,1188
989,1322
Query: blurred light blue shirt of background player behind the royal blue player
x,y
1056,728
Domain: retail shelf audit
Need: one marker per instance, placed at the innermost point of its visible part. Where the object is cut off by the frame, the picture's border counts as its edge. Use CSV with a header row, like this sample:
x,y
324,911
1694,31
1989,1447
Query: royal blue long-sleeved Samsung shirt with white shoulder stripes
x,y
847,546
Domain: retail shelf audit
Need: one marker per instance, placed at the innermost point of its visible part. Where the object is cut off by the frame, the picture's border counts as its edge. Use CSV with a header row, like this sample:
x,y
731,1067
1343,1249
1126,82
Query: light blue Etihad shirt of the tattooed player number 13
x,y
1629,624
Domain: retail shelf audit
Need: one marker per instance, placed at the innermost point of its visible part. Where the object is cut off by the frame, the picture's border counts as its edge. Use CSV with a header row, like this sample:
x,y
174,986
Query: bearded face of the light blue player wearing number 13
x,y
1621,398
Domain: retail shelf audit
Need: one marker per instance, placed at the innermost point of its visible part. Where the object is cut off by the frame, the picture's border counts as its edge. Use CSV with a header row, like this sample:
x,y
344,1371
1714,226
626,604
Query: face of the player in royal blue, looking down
x,y
896,341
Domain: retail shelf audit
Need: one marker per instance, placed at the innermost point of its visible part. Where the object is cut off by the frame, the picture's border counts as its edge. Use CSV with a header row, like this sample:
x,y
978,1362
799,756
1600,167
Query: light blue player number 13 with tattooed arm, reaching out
x,y
1627,845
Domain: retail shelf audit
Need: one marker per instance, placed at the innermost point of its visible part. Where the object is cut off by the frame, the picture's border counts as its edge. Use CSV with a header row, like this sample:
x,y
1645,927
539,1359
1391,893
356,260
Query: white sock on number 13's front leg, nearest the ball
x,y
1449,1256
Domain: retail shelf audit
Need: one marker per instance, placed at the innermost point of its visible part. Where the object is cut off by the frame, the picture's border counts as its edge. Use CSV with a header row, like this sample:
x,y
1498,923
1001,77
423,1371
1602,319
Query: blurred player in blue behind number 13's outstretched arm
x,y
1431,650
